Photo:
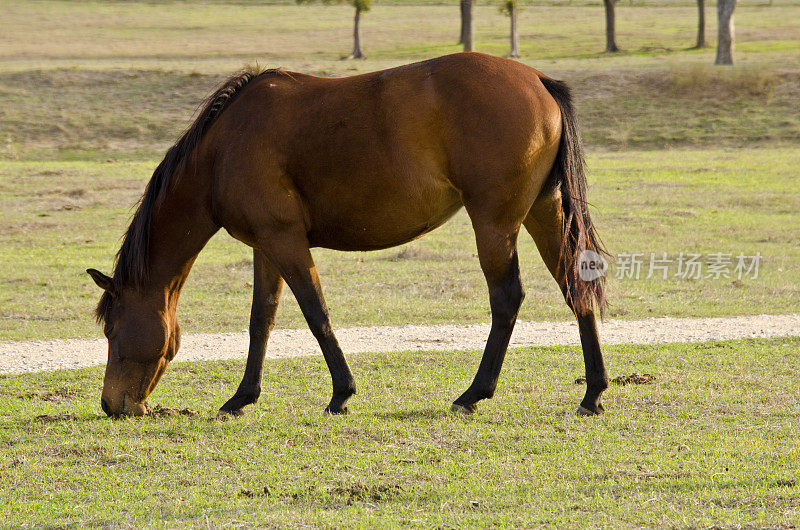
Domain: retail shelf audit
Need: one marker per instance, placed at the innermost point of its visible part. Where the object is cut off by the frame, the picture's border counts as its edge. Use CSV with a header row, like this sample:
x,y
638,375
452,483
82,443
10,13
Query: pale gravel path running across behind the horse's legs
x,y
33,356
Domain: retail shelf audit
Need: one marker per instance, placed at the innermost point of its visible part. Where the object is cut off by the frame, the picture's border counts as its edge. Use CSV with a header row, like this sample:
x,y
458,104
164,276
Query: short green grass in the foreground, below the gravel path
x,y
711,443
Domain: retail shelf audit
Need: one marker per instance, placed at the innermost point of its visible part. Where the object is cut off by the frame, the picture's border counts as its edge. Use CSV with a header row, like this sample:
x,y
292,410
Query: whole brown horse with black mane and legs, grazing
x,y
286,161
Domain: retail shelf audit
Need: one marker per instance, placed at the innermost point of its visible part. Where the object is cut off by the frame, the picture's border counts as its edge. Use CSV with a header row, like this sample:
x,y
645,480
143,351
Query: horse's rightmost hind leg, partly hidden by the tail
x,y
546,224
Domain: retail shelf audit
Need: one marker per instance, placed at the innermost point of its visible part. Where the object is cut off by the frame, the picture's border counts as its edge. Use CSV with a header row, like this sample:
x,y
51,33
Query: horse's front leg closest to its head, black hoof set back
x,y
267,285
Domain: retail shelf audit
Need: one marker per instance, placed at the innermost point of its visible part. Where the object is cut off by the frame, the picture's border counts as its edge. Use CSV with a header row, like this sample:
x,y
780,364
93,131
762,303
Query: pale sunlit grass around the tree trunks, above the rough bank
x,y
219,36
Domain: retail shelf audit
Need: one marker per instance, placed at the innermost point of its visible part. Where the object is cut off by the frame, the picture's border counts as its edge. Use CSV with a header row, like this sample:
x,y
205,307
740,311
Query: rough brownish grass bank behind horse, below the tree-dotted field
x,y
132,115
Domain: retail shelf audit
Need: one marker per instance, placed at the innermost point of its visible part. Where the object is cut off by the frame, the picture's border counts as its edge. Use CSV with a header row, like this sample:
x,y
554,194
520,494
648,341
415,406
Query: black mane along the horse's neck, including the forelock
x,y
130,264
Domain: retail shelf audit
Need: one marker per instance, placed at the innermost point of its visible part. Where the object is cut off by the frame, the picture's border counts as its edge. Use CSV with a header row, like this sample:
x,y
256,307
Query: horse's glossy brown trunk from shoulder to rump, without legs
x,y
378,159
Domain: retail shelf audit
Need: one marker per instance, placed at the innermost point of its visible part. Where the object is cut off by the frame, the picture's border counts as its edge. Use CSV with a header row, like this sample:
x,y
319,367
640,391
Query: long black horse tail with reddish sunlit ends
x,y
569,175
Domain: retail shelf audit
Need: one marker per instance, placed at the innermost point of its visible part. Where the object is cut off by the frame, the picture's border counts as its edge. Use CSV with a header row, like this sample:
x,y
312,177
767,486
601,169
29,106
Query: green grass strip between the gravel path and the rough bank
x,y
62,217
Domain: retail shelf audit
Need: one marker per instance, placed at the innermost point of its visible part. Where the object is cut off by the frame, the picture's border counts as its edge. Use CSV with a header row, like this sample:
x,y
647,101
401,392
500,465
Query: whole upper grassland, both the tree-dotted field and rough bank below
x,y
130,79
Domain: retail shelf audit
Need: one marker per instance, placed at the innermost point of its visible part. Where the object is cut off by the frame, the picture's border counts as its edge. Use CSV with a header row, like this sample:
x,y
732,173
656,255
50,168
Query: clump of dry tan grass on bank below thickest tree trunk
x,y
708,81
